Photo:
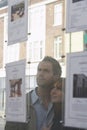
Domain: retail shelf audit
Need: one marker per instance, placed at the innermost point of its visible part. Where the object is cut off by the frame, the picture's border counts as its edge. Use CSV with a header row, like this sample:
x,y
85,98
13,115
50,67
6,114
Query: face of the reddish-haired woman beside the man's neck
x,y
56,93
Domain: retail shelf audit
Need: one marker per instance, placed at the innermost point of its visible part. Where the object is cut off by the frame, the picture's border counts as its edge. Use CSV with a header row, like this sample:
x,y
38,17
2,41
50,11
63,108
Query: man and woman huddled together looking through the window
x,y
45,102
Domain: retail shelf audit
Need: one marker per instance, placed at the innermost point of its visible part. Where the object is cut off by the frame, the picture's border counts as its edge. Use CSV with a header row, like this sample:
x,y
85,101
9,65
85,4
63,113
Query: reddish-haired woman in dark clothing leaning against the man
x,y
57,99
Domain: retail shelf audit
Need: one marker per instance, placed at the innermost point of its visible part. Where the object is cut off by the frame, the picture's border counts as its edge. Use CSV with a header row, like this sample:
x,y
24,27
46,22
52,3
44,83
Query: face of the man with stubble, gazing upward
x,y
45,75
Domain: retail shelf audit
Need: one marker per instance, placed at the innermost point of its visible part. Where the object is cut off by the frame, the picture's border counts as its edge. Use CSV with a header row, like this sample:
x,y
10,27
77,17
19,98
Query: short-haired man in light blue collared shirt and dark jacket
x,y
40,107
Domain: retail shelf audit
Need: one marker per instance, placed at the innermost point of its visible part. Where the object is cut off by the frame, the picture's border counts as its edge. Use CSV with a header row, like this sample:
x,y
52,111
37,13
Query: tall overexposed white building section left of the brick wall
x,y
36,41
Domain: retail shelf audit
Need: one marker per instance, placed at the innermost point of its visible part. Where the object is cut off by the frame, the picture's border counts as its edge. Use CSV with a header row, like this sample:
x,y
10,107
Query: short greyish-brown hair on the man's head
x,y
55,64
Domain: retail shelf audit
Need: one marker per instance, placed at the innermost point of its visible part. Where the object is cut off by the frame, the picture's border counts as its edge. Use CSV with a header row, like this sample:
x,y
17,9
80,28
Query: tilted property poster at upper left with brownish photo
x,y
17,21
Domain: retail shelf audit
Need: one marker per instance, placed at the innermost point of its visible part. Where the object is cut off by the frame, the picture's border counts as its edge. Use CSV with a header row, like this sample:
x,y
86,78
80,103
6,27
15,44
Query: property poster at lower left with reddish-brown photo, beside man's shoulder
x,y
15,92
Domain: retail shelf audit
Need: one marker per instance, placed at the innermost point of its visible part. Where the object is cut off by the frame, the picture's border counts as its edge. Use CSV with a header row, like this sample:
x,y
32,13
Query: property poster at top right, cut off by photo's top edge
x,y
76,15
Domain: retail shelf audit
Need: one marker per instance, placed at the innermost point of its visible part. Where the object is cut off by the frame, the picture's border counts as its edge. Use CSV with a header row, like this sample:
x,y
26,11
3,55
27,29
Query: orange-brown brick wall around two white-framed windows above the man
x,y
51,30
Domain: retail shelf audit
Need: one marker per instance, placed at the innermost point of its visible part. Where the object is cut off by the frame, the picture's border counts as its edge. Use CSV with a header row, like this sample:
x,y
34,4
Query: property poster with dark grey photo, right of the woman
x,y
76,90
